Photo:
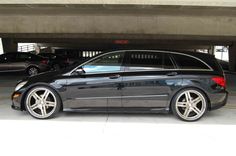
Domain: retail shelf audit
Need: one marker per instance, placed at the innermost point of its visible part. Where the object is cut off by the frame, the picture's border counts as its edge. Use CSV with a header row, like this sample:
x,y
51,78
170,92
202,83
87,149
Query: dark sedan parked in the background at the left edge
x,y
19,61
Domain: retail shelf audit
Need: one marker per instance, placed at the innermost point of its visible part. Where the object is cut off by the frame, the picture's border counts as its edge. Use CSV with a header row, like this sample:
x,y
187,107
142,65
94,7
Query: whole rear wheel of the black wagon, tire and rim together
x,y
189,104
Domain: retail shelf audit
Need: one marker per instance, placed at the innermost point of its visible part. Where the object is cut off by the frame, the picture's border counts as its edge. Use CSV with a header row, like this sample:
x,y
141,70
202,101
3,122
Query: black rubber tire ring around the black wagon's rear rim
x,y
173,103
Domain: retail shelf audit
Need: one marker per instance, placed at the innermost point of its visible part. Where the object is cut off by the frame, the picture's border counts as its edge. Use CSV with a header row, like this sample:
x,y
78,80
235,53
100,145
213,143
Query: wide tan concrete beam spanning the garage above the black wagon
x,y
145,24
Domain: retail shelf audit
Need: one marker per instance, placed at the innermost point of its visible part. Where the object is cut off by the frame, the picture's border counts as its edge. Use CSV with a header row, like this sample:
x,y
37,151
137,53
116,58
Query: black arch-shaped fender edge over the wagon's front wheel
x,y
36,85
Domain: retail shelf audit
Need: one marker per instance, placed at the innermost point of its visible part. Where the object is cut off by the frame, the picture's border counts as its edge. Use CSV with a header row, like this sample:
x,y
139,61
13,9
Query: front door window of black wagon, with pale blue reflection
x,y
108,63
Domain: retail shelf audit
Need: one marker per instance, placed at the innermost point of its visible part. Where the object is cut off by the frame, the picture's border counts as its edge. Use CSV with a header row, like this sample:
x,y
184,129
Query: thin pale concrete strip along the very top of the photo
x,y
225,3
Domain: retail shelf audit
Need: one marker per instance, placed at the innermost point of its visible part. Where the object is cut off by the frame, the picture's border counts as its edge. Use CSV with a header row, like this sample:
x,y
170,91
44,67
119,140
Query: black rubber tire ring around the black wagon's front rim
x,y
58,99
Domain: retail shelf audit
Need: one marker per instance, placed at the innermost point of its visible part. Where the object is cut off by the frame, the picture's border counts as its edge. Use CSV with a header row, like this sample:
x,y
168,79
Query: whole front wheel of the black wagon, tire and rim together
x,y
42,102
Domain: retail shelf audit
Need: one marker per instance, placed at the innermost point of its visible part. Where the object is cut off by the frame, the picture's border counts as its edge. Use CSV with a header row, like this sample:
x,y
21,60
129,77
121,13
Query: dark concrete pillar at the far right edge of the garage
x,y
232,57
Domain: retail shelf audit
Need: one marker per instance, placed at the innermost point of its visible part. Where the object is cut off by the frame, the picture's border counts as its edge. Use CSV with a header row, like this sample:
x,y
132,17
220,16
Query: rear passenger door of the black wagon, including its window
x,y
148,79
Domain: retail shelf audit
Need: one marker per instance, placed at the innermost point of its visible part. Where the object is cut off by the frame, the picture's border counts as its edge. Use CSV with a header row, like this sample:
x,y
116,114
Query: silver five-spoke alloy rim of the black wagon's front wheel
x,y
41,103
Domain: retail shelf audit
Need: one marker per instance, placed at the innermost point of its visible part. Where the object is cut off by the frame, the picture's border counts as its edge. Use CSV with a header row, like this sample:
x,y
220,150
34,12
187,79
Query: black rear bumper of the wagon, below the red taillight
x,y
220,103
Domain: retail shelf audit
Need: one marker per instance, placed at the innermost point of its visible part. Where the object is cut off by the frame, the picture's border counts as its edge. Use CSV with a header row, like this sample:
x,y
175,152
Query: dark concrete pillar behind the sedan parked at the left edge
x,y
9,45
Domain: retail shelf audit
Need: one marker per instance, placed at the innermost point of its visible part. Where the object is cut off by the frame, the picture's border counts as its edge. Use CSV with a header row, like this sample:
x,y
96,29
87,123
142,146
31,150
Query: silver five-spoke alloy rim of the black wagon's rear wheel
x,y
190,105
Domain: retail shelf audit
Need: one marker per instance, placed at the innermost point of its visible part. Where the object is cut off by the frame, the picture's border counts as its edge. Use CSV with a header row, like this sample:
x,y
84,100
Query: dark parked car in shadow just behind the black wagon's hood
x,y
56,62
